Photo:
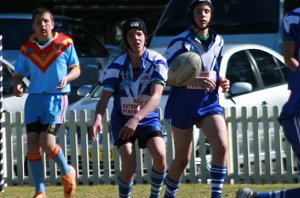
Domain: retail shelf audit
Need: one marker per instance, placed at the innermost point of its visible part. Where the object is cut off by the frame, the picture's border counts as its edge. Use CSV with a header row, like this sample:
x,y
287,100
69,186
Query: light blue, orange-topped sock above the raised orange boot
x,y
58,156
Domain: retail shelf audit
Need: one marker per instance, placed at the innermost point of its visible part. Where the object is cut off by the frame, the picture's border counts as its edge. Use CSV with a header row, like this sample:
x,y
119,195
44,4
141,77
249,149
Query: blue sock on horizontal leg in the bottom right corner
x,y
287,193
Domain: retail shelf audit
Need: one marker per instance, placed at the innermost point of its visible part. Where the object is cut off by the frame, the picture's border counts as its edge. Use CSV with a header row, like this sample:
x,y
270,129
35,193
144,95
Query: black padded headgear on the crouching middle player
x,y
132,23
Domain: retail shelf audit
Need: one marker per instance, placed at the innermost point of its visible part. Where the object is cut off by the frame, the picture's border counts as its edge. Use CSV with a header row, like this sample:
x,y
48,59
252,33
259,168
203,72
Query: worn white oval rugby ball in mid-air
x,y
184,68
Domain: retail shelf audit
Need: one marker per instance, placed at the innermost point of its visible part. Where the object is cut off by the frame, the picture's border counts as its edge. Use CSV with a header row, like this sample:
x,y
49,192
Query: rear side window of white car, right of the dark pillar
x,y
272,70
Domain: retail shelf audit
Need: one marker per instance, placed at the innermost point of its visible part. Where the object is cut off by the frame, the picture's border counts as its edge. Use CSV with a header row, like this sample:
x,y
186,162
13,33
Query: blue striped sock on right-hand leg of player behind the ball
x,y
218,174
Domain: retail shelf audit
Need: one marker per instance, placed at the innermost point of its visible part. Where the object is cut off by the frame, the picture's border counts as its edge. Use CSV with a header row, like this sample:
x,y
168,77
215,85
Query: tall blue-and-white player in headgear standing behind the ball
x,y
198,102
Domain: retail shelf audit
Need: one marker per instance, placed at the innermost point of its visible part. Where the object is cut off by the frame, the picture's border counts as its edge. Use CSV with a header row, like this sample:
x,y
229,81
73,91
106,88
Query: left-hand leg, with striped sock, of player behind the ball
x,y
183,149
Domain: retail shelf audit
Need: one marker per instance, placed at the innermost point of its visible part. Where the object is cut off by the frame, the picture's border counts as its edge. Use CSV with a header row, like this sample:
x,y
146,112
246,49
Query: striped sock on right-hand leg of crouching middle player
x,y
157,180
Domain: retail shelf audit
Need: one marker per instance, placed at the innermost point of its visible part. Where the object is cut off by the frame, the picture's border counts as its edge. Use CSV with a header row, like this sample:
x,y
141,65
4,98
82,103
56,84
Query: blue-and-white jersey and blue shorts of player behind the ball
x,y
187,105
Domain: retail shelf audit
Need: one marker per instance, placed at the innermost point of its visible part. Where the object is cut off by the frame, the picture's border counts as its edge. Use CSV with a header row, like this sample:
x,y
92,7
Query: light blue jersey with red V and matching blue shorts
x,y
45,66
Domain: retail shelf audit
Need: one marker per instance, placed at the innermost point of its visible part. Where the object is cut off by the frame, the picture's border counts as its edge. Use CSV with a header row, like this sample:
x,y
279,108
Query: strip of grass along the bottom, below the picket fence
x,y
139,191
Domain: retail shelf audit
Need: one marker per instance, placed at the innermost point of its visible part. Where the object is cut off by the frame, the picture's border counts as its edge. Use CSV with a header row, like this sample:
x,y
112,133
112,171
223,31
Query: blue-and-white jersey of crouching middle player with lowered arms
x,y
131,93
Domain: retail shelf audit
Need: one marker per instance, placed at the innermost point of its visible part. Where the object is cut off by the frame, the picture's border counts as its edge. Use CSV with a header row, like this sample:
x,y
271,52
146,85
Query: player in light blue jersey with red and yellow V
x,y
50,61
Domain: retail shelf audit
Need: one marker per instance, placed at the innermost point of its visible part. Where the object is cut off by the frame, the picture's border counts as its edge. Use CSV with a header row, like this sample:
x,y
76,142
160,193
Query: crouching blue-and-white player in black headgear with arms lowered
x,y
136,81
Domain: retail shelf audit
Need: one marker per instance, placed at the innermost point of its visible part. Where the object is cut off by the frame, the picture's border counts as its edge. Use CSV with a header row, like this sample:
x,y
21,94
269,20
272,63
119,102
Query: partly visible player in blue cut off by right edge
x,y
290,114
